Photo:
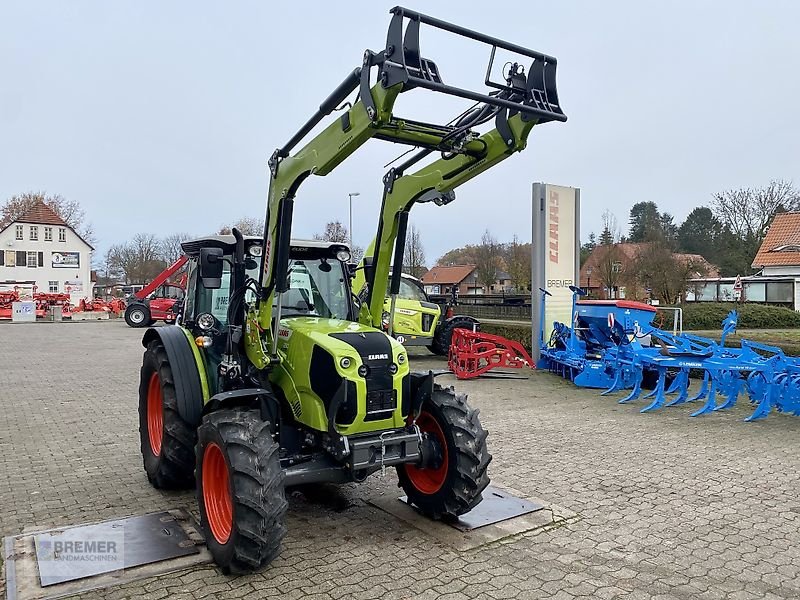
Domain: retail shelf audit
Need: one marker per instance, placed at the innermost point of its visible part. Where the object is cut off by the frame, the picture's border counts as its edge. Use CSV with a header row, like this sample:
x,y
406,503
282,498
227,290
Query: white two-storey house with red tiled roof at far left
x,y
40,249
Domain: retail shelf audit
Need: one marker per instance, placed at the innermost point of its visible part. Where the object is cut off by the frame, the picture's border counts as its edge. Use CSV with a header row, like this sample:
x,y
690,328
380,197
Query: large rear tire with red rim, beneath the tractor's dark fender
x,y
170,465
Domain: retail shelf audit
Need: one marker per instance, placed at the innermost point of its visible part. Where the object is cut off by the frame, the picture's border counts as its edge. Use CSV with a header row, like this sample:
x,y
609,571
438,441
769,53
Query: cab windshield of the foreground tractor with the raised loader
x,y
317,288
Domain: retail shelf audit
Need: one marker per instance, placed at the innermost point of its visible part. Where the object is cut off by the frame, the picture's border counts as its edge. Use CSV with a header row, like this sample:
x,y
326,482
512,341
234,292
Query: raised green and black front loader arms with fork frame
x,y
526,98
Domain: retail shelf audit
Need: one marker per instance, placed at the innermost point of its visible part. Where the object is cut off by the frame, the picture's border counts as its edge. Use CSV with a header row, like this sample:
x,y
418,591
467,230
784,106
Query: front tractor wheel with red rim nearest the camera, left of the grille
x,y
255,489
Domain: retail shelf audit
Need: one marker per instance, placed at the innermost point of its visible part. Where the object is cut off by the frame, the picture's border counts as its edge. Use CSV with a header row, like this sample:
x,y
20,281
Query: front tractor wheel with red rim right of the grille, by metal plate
x,y
466,459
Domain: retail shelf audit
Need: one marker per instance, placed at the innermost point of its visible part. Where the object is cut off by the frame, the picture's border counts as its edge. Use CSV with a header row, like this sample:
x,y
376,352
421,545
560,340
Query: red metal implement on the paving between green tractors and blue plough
x,y
474,353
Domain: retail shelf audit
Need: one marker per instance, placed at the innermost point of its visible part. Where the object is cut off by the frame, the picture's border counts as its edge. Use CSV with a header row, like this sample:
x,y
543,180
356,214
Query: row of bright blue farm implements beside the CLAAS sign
x,y
613,345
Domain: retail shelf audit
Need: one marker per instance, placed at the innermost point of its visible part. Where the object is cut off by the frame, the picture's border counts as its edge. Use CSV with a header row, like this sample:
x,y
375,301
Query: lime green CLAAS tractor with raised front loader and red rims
x,y
278,374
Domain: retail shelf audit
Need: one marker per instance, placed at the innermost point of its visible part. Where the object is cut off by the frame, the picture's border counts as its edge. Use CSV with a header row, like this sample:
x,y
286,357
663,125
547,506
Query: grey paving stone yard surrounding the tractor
x,y
670,507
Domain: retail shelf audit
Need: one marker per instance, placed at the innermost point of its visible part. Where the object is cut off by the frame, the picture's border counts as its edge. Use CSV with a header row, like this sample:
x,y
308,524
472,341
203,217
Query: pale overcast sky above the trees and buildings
x,y
160,117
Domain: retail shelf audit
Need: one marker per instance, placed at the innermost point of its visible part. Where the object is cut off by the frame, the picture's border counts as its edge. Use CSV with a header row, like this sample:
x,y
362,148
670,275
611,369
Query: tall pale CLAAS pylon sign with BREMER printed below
x,y
556,255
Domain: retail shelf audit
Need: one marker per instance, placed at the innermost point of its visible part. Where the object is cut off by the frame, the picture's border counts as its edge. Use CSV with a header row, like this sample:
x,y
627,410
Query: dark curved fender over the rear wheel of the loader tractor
x,y
189,389
